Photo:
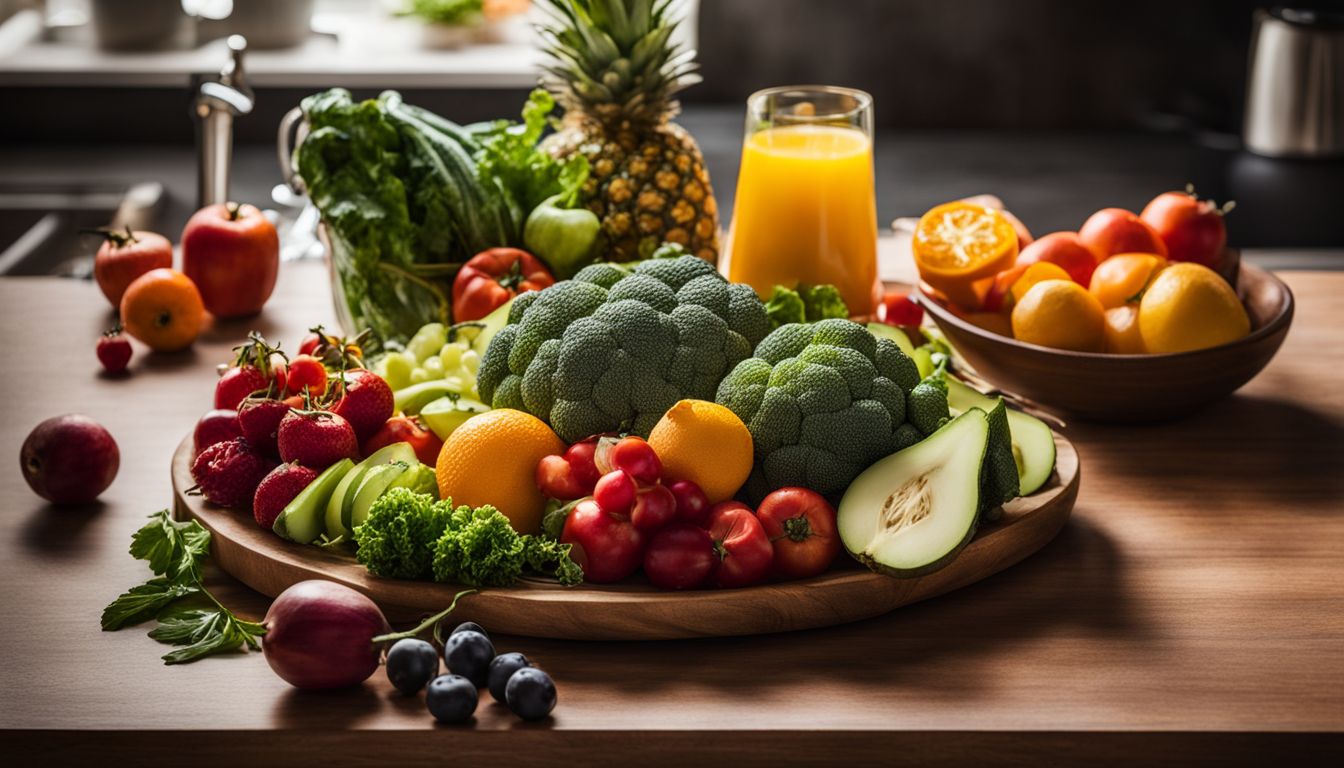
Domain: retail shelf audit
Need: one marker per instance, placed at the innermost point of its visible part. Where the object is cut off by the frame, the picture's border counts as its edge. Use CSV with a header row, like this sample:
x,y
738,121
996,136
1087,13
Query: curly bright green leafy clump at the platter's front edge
x,y
412,536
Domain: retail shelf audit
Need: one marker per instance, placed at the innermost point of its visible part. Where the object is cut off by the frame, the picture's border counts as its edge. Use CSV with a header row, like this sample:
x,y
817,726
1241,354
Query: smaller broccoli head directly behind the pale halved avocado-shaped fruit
x,y
825,401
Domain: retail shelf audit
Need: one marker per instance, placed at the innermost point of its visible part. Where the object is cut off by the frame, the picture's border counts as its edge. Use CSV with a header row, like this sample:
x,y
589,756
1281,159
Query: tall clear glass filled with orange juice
x,y
806,209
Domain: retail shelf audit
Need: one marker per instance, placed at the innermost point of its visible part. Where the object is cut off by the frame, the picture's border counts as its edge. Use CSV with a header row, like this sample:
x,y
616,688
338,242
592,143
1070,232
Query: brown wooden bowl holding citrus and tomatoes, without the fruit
x,y
1096,387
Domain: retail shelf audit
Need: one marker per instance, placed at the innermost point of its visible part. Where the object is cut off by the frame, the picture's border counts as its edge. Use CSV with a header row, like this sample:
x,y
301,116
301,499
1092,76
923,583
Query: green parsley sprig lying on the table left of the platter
x,y
189,615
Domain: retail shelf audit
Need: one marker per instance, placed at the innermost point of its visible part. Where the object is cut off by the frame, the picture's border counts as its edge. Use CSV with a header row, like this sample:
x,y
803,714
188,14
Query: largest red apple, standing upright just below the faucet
x,y
232,254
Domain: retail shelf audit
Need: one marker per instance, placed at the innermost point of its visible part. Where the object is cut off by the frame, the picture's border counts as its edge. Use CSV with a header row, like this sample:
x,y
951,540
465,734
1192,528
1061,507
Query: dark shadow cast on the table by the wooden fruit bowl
x,y
1244,446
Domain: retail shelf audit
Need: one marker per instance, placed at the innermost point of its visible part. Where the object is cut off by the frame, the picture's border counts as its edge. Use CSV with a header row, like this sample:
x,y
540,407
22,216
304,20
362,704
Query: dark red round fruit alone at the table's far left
x,y
69,459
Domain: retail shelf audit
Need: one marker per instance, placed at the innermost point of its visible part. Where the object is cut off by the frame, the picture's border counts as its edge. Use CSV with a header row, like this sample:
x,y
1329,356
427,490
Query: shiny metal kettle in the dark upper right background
x,y
1295,93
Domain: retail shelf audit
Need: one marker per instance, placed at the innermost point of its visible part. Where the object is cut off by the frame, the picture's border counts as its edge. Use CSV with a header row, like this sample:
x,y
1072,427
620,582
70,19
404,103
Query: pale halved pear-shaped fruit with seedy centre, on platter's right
x,y
913,512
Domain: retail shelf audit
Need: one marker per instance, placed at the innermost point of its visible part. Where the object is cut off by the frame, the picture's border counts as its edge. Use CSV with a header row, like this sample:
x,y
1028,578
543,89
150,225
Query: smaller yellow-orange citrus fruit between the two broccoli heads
x,y
705,443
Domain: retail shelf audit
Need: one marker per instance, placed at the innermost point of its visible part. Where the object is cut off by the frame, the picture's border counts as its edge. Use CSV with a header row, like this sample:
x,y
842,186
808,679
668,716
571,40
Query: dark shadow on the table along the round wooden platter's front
x,y
1072,586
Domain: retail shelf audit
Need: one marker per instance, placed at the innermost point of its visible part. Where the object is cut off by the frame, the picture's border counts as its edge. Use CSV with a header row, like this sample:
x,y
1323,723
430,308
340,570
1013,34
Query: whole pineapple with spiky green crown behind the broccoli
x,y
615,72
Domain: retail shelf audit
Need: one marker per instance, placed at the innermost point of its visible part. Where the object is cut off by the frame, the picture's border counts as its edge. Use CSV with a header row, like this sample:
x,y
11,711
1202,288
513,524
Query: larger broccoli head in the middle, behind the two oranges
x,y
615,348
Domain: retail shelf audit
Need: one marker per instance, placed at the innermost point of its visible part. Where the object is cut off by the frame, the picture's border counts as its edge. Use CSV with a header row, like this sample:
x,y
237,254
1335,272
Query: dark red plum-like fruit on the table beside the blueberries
x,y
321,636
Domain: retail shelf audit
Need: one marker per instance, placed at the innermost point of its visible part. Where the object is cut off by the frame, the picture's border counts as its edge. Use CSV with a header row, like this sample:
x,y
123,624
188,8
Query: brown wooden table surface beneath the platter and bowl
x,y
1193,610
